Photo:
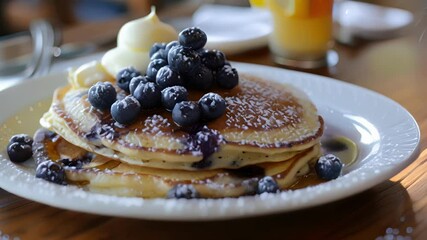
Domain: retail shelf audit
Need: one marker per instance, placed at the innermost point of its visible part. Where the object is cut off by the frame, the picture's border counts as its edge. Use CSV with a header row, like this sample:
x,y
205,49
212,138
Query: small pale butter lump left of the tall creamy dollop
x,y
88,74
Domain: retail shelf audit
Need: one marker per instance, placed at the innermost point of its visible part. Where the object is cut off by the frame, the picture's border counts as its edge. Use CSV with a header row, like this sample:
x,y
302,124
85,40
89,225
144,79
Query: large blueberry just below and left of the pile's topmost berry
x,y
183,59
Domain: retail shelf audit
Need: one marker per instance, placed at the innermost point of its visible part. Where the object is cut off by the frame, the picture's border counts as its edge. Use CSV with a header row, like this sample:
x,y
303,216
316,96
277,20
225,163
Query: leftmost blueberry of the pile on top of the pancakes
x,y
102,95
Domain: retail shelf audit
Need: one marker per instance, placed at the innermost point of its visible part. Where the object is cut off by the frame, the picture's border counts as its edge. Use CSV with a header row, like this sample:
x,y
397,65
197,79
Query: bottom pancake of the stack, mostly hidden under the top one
x,y
97,173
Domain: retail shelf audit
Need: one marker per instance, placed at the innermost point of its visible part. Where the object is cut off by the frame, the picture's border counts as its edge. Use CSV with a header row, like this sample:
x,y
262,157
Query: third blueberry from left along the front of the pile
x,y
148,95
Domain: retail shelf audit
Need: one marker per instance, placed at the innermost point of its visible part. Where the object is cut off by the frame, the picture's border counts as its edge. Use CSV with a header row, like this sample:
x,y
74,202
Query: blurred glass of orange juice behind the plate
x,y
302,31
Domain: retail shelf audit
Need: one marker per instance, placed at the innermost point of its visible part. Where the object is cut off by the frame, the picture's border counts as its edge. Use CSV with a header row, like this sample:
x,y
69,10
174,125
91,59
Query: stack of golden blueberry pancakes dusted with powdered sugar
x,y
268,129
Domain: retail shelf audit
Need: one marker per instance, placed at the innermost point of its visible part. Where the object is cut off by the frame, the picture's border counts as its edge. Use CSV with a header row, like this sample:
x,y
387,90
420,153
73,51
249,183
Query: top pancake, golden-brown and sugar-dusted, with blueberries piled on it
x,y
263,122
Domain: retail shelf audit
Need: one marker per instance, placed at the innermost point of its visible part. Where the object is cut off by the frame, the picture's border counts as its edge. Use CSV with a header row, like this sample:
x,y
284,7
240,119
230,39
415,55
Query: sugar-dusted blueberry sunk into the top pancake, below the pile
x,y
206,141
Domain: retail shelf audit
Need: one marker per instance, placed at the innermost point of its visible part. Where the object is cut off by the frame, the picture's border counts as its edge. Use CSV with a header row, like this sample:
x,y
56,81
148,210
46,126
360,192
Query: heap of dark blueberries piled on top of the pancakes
x,y
174,69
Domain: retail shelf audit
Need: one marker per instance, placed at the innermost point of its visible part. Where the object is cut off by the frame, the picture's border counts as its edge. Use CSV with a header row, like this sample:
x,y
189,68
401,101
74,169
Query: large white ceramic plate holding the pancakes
x,y
387,136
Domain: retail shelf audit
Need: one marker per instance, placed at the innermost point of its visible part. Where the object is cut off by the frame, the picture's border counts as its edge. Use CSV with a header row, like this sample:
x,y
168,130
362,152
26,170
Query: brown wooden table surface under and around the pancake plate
x,y
397,207
